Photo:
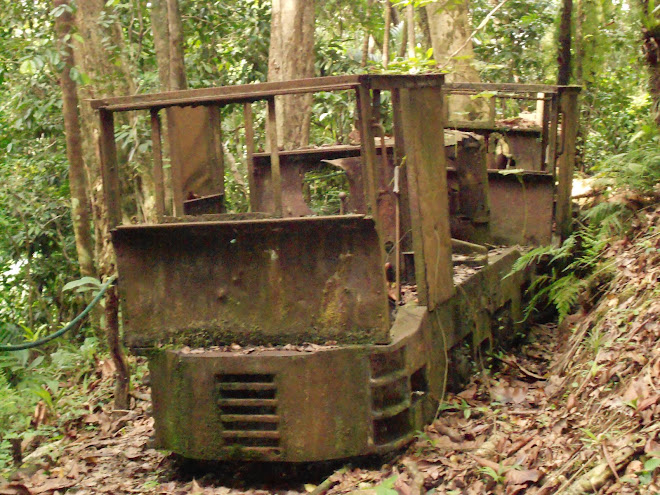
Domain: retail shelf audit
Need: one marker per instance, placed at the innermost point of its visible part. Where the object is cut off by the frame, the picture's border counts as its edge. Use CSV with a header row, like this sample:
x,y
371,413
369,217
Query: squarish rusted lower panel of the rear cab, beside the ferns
x,y
521,207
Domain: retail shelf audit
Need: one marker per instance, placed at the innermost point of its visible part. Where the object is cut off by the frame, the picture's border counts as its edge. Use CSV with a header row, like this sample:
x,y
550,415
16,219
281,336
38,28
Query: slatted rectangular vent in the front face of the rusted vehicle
x,y
248,411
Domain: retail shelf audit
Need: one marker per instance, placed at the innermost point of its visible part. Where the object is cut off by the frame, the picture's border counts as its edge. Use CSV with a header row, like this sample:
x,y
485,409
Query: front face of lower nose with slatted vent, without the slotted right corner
x,y
272,398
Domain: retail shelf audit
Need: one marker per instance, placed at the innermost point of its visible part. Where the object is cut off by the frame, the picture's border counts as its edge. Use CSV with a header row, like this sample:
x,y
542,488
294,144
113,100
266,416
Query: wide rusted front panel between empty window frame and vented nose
x,y
258,281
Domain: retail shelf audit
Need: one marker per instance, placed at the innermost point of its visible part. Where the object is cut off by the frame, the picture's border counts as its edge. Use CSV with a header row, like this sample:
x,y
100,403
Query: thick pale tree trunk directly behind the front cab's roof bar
x,y
291,56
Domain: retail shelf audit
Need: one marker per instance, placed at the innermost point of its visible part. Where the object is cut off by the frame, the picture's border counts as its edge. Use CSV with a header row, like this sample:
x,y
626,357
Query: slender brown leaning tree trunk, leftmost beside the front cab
x,y
80,204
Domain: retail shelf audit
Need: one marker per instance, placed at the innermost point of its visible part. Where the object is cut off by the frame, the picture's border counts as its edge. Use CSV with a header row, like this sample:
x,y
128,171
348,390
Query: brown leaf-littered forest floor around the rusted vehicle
x,y
575,410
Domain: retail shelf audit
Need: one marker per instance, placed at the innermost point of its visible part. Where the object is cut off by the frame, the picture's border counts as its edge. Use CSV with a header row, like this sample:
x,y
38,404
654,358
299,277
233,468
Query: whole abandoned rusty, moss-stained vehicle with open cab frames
x,y
275,335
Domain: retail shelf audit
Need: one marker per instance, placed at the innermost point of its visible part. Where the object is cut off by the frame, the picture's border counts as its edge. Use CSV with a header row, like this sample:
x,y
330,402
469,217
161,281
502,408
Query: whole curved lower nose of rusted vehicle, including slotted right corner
x,y
227,405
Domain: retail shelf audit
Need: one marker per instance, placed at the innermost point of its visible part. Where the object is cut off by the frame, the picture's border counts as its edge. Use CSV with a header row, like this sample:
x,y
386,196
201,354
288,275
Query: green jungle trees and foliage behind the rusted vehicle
x,y
54,55
